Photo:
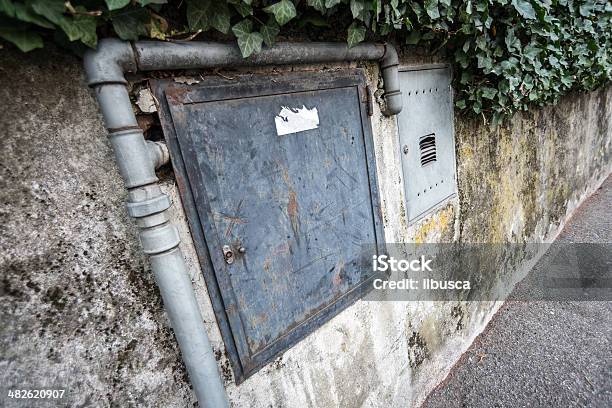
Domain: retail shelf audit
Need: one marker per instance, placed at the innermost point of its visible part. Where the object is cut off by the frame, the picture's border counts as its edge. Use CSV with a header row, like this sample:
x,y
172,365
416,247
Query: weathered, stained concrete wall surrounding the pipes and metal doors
x,y
80,310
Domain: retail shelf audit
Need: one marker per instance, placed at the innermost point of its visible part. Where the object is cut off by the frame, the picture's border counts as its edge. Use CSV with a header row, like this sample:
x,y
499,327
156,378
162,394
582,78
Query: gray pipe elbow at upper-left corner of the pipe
x,y
109,62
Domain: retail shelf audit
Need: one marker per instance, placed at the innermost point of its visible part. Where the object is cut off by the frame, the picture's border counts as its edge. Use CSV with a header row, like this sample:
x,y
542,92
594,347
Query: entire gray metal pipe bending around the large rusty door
x,y
137,159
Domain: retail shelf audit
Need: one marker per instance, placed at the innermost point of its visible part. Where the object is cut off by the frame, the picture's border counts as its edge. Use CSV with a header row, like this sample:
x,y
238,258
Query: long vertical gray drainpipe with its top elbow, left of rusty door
x,y
160,240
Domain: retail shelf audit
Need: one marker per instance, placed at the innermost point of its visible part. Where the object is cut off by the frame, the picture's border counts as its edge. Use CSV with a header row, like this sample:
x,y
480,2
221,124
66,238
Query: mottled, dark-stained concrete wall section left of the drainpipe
x,y
80,309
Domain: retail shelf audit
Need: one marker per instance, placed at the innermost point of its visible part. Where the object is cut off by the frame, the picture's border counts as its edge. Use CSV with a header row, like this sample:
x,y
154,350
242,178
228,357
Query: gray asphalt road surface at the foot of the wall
x,y
542,354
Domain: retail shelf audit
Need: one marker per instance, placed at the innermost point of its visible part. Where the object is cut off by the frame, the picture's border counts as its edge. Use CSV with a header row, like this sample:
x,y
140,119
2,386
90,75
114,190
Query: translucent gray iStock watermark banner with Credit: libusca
x,y
485,272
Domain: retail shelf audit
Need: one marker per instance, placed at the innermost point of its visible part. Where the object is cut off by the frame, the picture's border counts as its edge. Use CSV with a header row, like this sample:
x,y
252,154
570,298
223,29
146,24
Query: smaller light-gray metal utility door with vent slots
x,y
427,146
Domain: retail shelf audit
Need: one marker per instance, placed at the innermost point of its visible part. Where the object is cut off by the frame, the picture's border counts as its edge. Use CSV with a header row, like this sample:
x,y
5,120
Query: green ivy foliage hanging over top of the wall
x,y
508,54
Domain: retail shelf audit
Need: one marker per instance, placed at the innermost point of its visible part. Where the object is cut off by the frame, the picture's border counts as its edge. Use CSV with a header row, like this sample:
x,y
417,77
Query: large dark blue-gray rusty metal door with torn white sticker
x,y
277,176
